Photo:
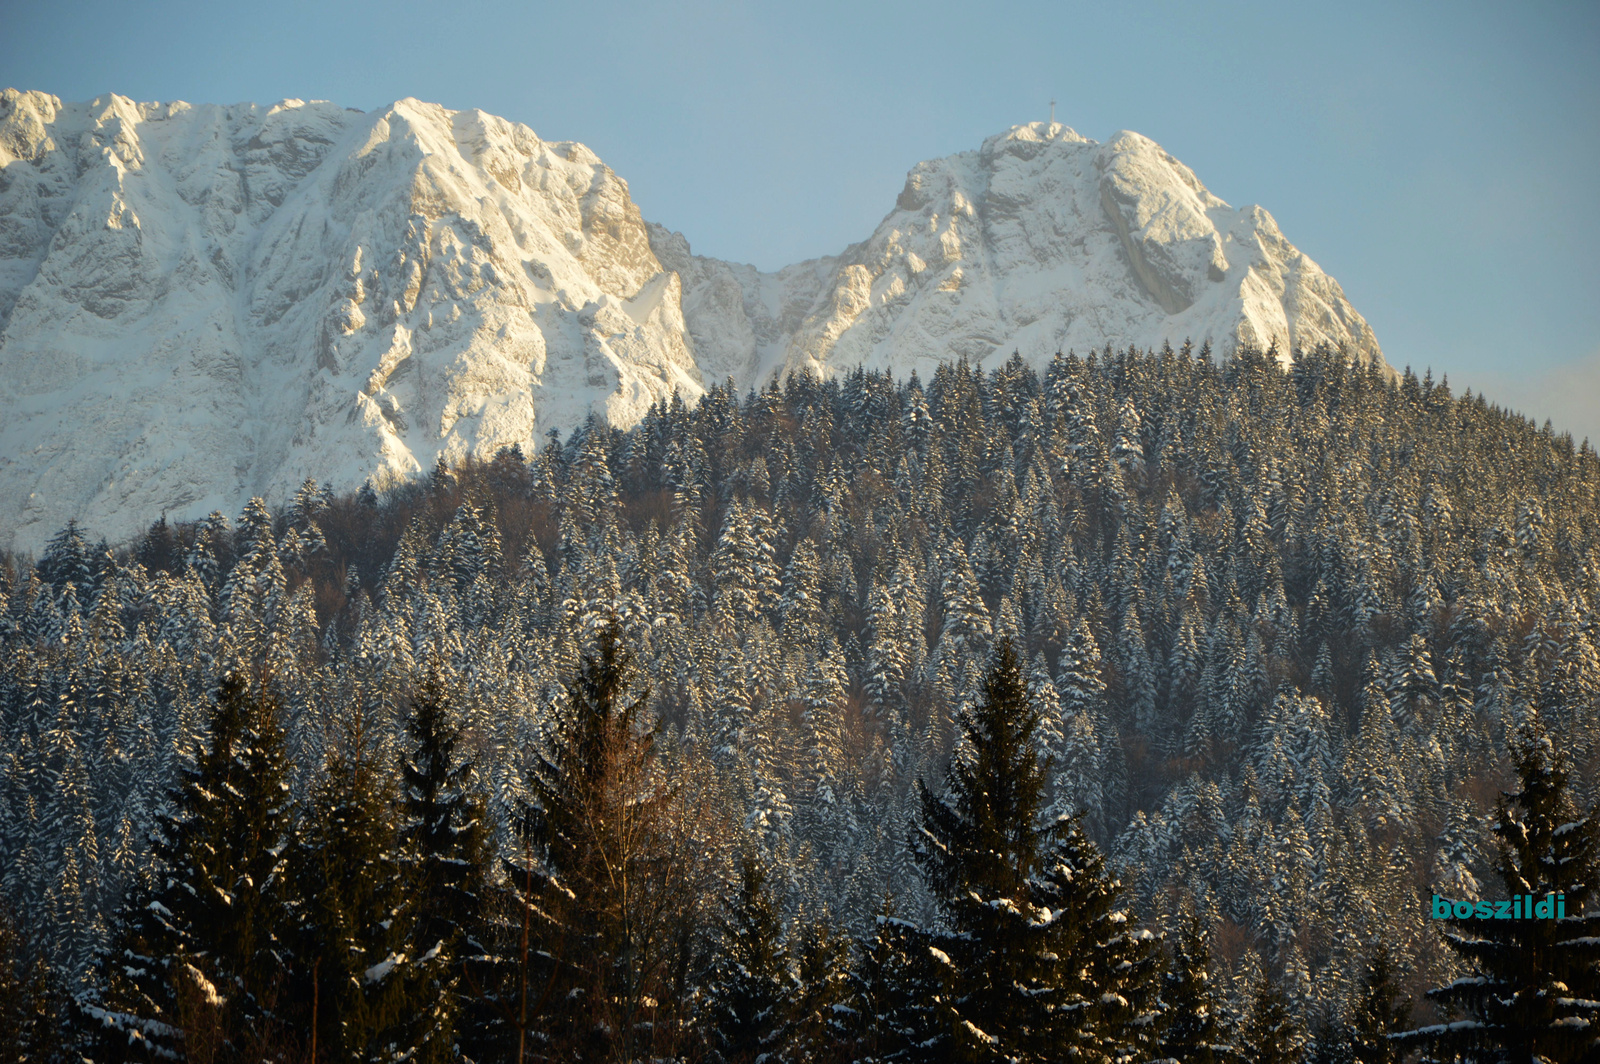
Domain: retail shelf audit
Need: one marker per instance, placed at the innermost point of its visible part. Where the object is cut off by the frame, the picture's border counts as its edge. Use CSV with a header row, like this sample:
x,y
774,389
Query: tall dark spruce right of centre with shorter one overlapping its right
x,y
1044,961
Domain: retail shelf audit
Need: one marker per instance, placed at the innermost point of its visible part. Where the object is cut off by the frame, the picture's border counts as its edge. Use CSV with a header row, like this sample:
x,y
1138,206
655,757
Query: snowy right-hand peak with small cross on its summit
x,y
1039,242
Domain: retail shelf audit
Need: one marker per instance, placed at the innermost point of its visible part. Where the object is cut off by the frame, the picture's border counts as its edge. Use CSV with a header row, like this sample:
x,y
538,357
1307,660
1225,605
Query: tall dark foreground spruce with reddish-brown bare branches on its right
x,y
609,890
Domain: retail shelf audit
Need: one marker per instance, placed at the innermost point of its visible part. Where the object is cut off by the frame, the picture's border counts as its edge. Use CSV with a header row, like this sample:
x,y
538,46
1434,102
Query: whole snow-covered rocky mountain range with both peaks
x,y
204,303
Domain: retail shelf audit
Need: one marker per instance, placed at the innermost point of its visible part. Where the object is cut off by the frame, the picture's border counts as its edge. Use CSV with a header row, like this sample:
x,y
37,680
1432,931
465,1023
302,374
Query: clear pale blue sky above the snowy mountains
x,y
1441,161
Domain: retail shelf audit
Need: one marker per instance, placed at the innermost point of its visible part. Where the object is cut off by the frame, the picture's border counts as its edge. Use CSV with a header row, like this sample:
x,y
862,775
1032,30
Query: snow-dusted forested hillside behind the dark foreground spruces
x,y
1282,631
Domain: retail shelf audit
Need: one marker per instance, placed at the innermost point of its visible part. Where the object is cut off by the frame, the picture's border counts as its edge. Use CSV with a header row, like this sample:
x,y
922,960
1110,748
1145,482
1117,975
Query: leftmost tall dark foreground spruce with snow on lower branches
x,y
199,964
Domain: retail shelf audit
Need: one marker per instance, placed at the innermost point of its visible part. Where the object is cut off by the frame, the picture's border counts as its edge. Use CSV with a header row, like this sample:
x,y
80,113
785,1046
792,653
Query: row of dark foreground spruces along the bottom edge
x,y
369,926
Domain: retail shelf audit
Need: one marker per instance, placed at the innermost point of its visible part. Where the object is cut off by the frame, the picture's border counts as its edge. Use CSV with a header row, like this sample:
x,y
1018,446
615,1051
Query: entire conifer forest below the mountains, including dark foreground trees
x,y
1132,711
